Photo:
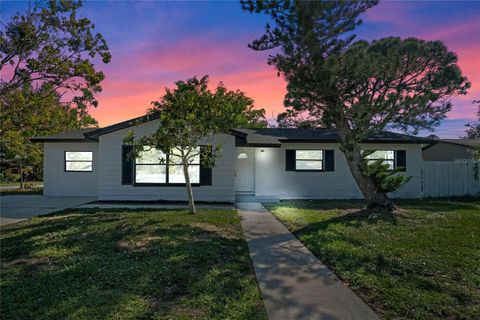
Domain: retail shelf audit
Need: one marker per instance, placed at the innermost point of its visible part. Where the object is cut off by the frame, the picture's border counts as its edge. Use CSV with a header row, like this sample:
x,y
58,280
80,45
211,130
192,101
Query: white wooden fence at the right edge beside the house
x,y
450,178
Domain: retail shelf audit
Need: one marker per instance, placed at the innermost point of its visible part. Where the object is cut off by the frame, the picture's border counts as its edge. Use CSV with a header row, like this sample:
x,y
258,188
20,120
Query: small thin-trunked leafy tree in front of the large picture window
x,y
189,115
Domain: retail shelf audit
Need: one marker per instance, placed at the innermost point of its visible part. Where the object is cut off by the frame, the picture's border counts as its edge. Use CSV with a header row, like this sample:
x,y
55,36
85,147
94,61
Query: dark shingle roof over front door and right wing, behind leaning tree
x,y
275,136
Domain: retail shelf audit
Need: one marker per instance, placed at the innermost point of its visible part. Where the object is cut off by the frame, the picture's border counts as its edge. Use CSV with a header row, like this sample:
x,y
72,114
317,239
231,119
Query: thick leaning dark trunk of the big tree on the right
x,y
375,198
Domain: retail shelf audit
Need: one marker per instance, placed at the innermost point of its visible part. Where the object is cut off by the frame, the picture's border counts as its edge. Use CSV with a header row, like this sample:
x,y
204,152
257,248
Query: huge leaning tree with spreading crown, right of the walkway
x,y
360,88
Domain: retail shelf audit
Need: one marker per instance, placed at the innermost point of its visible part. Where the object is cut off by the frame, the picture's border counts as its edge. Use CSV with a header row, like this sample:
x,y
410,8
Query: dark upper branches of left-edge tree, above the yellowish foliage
x,y
49,43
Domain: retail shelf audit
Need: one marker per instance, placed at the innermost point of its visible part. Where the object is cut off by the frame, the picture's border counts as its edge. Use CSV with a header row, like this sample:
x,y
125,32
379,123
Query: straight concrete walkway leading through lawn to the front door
x,y
293,282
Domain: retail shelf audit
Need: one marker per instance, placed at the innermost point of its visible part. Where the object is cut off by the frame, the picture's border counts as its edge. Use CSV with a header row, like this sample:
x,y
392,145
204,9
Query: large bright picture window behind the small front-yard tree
x,y
155,167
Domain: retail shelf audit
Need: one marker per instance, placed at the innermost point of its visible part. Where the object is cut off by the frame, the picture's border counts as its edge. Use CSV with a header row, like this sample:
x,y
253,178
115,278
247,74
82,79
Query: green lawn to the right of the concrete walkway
x,y
424,263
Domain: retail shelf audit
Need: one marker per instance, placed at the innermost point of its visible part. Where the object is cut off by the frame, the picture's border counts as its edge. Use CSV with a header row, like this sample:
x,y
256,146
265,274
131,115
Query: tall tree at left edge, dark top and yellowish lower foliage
x,y
48,77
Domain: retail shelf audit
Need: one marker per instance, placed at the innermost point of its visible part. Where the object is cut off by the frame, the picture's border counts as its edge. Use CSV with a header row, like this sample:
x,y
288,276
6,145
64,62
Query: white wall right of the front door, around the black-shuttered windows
x,y
271,179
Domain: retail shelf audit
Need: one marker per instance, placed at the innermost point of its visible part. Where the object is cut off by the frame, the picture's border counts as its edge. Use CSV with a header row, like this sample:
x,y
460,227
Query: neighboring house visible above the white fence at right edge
x,y
450,149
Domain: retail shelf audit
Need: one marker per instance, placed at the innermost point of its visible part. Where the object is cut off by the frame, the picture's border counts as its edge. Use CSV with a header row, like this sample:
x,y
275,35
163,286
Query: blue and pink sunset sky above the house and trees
x,y
154,44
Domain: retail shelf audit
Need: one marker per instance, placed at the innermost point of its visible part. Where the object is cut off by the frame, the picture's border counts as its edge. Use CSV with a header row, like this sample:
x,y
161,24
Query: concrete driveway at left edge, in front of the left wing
x,y
20,207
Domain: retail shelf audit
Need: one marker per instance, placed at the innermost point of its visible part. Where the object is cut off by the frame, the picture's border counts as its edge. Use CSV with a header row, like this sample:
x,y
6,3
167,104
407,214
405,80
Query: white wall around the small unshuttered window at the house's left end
x,y
58,182
